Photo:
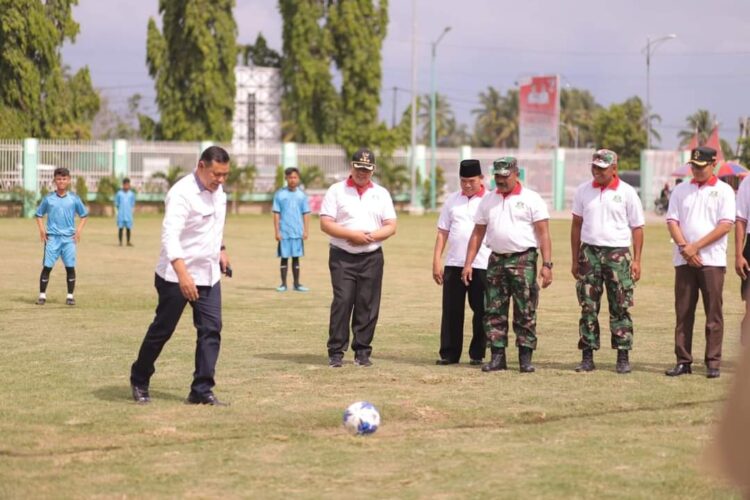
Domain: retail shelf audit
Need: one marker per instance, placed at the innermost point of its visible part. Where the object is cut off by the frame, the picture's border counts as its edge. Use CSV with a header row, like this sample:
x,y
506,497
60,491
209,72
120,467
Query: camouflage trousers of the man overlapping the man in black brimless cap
x,y
511,276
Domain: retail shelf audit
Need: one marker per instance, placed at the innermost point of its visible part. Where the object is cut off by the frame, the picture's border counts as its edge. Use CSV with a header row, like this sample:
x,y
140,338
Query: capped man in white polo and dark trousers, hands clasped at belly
x,y
358,215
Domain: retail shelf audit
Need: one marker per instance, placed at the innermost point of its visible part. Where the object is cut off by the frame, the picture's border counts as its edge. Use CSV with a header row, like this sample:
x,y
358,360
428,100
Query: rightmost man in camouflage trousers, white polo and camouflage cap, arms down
x,y
607,218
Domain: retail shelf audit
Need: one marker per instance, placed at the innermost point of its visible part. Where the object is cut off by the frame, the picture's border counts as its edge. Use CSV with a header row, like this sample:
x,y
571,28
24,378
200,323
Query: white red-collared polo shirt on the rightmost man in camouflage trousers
x,y
609,213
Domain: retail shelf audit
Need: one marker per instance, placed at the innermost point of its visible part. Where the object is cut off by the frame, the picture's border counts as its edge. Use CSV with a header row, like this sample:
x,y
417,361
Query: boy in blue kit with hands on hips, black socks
x,y
60,235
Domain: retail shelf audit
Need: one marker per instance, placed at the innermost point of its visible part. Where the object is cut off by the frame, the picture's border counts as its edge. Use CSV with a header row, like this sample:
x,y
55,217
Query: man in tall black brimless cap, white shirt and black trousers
x,y
455,225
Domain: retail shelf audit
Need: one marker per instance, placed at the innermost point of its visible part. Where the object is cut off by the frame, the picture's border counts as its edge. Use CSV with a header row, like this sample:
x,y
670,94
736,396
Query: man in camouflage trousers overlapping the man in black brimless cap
x,y
515,221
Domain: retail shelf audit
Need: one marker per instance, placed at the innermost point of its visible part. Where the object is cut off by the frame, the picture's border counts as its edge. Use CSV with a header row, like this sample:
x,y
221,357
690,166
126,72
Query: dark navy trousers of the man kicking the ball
x,y
207,321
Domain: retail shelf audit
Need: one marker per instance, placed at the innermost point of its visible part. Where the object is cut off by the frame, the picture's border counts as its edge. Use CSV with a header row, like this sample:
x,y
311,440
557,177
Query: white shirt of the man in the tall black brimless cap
x,y
457,218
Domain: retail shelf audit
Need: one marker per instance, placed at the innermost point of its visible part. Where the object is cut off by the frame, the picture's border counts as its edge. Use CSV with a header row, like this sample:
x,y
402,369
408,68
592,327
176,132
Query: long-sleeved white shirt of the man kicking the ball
x,y
193,230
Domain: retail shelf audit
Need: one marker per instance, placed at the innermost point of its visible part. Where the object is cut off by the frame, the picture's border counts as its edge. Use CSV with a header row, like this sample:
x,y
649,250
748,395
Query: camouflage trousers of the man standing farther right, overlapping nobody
x,y
600,267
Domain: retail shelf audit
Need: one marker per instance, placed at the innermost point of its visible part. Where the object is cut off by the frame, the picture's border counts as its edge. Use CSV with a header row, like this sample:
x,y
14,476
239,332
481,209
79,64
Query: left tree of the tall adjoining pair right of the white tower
x,y
309,105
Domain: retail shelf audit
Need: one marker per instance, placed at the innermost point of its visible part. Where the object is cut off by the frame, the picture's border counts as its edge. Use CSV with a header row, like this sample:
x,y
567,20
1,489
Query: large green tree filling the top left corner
x,y
38,96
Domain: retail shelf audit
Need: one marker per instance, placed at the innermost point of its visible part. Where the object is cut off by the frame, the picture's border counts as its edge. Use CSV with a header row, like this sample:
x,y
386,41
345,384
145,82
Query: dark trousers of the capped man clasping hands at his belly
x,y
357,281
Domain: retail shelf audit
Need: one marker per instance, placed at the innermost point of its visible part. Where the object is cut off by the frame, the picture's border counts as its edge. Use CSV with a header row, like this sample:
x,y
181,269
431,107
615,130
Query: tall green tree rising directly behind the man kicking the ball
x,y
192,62
